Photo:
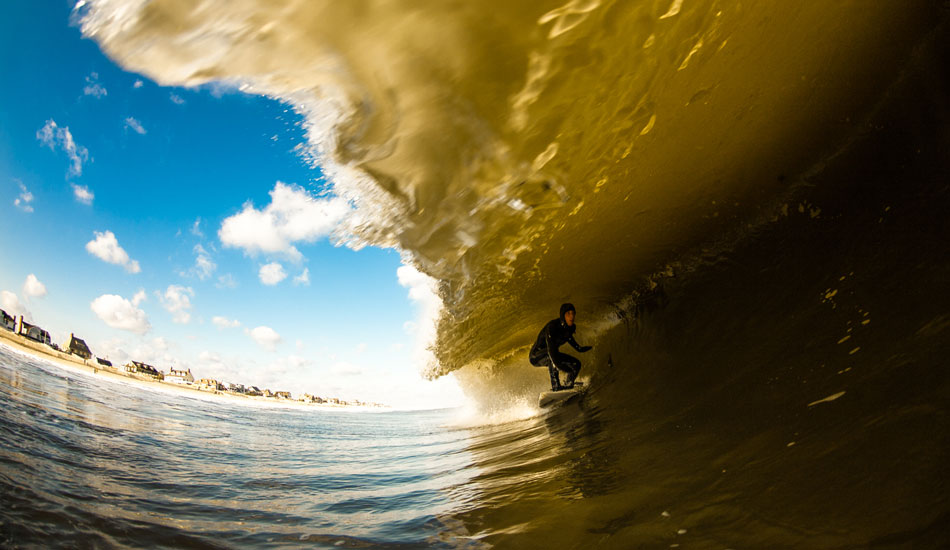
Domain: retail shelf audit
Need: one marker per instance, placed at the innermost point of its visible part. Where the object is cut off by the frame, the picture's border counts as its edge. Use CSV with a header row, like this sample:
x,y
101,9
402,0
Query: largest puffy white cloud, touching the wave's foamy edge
x,y
293,215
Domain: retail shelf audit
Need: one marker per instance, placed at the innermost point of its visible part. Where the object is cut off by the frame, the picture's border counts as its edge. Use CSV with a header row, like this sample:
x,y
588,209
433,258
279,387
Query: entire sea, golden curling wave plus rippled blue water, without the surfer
x,y
747,202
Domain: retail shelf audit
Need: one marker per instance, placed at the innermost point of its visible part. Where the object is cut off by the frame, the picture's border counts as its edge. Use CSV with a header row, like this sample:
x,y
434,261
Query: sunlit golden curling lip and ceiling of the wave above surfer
x,y
525,153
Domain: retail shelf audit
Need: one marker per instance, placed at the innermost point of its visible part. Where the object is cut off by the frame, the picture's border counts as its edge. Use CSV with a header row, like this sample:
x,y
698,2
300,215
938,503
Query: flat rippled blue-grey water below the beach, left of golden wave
x,y
118,460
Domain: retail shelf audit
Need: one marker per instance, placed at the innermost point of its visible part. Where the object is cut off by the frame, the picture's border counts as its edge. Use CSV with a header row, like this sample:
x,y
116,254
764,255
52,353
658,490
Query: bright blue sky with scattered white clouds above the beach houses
x,y
115,194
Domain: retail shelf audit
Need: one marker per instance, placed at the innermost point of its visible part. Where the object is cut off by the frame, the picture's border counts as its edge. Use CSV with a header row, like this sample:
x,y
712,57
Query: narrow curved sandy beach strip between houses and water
x,y
23,345
